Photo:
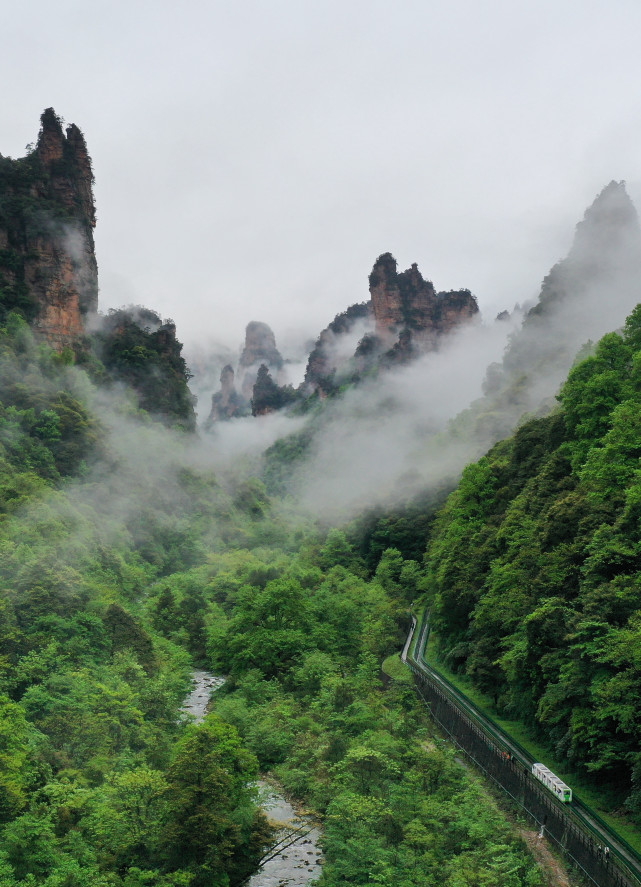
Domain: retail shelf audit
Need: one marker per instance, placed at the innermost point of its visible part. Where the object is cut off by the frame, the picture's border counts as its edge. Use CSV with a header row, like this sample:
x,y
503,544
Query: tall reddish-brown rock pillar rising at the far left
x,y
48,267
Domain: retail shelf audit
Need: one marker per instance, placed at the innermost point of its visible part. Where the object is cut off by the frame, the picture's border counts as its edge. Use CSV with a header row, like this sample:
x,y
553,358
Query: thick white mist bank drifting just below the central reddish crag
x,y
375,446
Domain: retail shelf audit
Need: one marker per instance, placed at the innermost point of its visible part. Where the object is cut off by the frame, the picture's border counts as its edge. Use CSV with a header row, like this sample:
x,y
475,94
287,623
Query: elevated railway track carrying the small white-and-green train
x,y
603,856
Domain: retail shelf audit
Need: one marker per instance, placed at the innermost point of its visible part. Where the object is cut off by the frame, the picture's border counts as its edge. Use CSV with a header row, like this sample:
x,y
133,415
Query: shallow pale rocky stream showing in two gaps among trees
x,y
297,857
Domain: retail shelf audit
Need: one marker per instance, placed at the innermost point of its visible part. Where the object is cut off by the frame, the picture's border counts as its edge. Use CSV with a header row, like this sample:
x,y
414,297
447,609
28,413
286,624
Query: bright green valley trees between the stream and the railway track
x,y
396,807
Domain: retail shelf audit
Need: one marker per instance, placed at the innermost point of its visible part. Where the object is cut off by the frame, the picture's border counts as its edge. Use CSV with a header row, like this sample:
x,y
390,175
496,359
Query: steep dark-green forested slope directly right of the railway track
x,y
535,570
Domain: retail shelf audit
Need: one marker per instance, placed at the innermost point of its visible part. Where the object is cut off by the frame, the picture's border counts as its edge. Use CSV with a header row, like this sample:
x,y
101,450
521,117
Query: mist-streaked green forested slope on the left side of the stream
x,y
100,781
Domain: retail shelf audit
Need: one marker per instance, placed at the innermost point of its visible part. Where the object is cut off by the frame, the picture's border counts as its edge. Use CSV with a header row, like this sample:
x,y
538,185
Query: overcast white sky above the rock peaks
x,y
252,159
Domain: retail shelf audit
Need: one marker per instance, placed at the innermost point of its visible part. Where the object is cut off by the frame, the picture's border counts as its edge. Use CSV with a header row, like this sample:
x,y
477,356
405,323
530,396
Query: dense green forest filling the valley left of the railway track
x,y
124,563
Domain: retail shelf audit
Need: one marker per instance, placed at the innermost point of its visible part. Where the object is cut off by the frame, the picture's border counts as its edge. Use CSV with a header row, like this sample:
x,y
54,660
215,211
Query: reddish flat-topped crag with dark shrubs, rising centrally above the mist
x,y
407,302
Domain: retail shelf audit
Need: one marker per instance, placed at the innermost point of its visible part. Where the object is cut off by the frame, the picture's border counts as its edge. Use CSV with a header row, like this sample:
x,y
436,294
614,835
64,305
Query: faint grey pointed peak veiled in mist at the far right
x,y
584,295
